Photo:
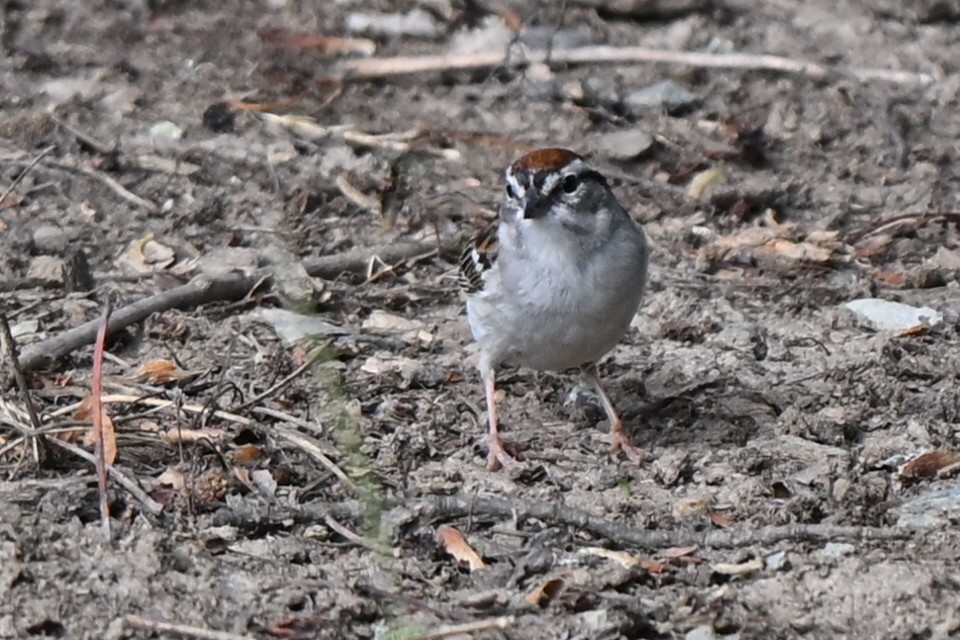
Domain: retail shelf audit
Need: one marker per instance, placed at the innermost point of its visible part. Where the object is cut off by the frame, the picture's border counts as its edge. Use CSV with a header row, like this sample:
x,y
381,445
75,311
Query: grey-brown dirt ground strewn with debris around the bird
x,y
301,493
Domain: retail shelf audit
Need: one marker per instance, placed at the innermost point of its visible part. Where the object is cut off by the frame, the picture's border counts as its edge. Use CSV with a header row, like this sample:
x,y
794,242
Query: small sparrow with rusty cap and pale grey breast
x,y
555,284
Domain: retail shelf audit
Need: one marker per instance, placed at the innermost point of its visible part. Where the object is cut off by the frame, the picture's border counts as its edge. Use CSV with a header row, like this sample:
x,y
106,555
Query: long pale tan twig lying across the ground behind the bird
x,y
370,68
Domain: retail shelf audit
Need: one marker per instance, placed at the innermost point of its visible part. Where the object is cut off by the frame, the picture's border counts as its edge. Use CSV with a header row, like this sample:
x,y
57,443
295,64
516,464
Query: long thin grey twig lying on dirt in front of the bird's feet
x,y
629,535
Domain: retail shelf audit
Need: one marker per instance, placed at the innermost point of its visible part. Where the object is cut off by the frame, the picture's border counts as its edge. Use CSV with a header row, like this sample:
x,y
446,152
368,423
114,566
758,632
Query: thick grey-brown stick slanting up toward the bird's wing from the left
x,y
202,291
